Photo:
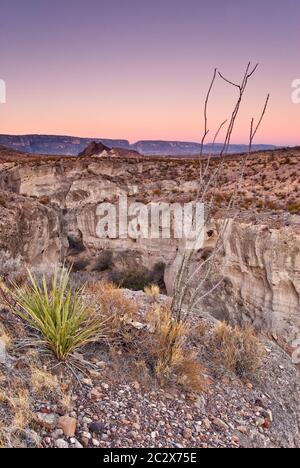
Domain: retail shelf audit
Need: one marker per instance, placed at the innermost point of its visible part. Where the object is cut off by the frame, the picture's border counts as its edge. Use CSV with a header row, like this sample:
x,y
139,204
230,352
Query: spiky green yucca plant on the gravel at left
x,y
59,313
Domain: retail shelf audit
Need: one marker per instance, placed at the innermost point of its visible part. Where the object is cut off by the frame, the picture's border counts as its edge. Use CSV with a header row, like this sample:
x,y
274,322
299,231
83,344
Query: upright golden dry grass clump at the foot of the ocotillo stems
x,y
166,351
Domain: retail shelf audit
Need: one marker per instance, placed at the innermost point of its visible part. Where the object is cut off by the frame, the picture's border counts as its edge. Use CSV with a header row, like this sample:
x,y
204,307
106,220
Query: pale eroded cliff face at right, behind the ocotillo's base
x,y
261,267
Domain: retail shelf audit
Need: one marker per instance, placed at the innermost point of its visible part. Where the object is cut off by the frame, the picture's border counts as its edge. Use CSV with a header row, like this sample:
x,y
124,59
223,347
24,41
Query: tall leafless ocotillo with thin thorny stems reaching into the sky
x,y
184,297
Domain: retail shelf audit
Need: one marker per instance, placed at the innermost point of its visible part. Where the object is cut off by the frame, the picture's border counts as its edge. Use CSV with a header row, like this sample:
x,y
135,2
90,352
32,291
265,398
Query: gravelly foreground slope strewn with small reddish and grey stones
x,y
114,404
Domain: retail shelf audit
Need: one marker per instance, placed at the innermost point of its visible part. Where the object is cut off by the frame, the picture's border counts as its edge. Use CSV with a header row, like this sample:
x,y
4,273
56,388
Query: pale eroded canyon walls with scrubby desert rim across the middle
x,y
48,214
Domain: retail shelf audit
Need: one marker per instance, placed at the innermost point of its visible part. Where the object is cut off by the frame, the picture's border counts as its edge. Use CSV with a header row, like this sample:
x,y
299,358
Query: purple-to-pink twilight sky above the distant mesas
x,y
138,69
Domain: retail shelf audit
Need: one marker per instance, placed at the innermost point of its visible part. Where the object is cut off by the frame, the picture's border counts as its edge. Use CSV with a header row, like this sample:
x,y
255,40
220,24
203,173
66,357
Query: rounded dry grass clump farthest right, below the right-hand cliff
x,y
237,349
